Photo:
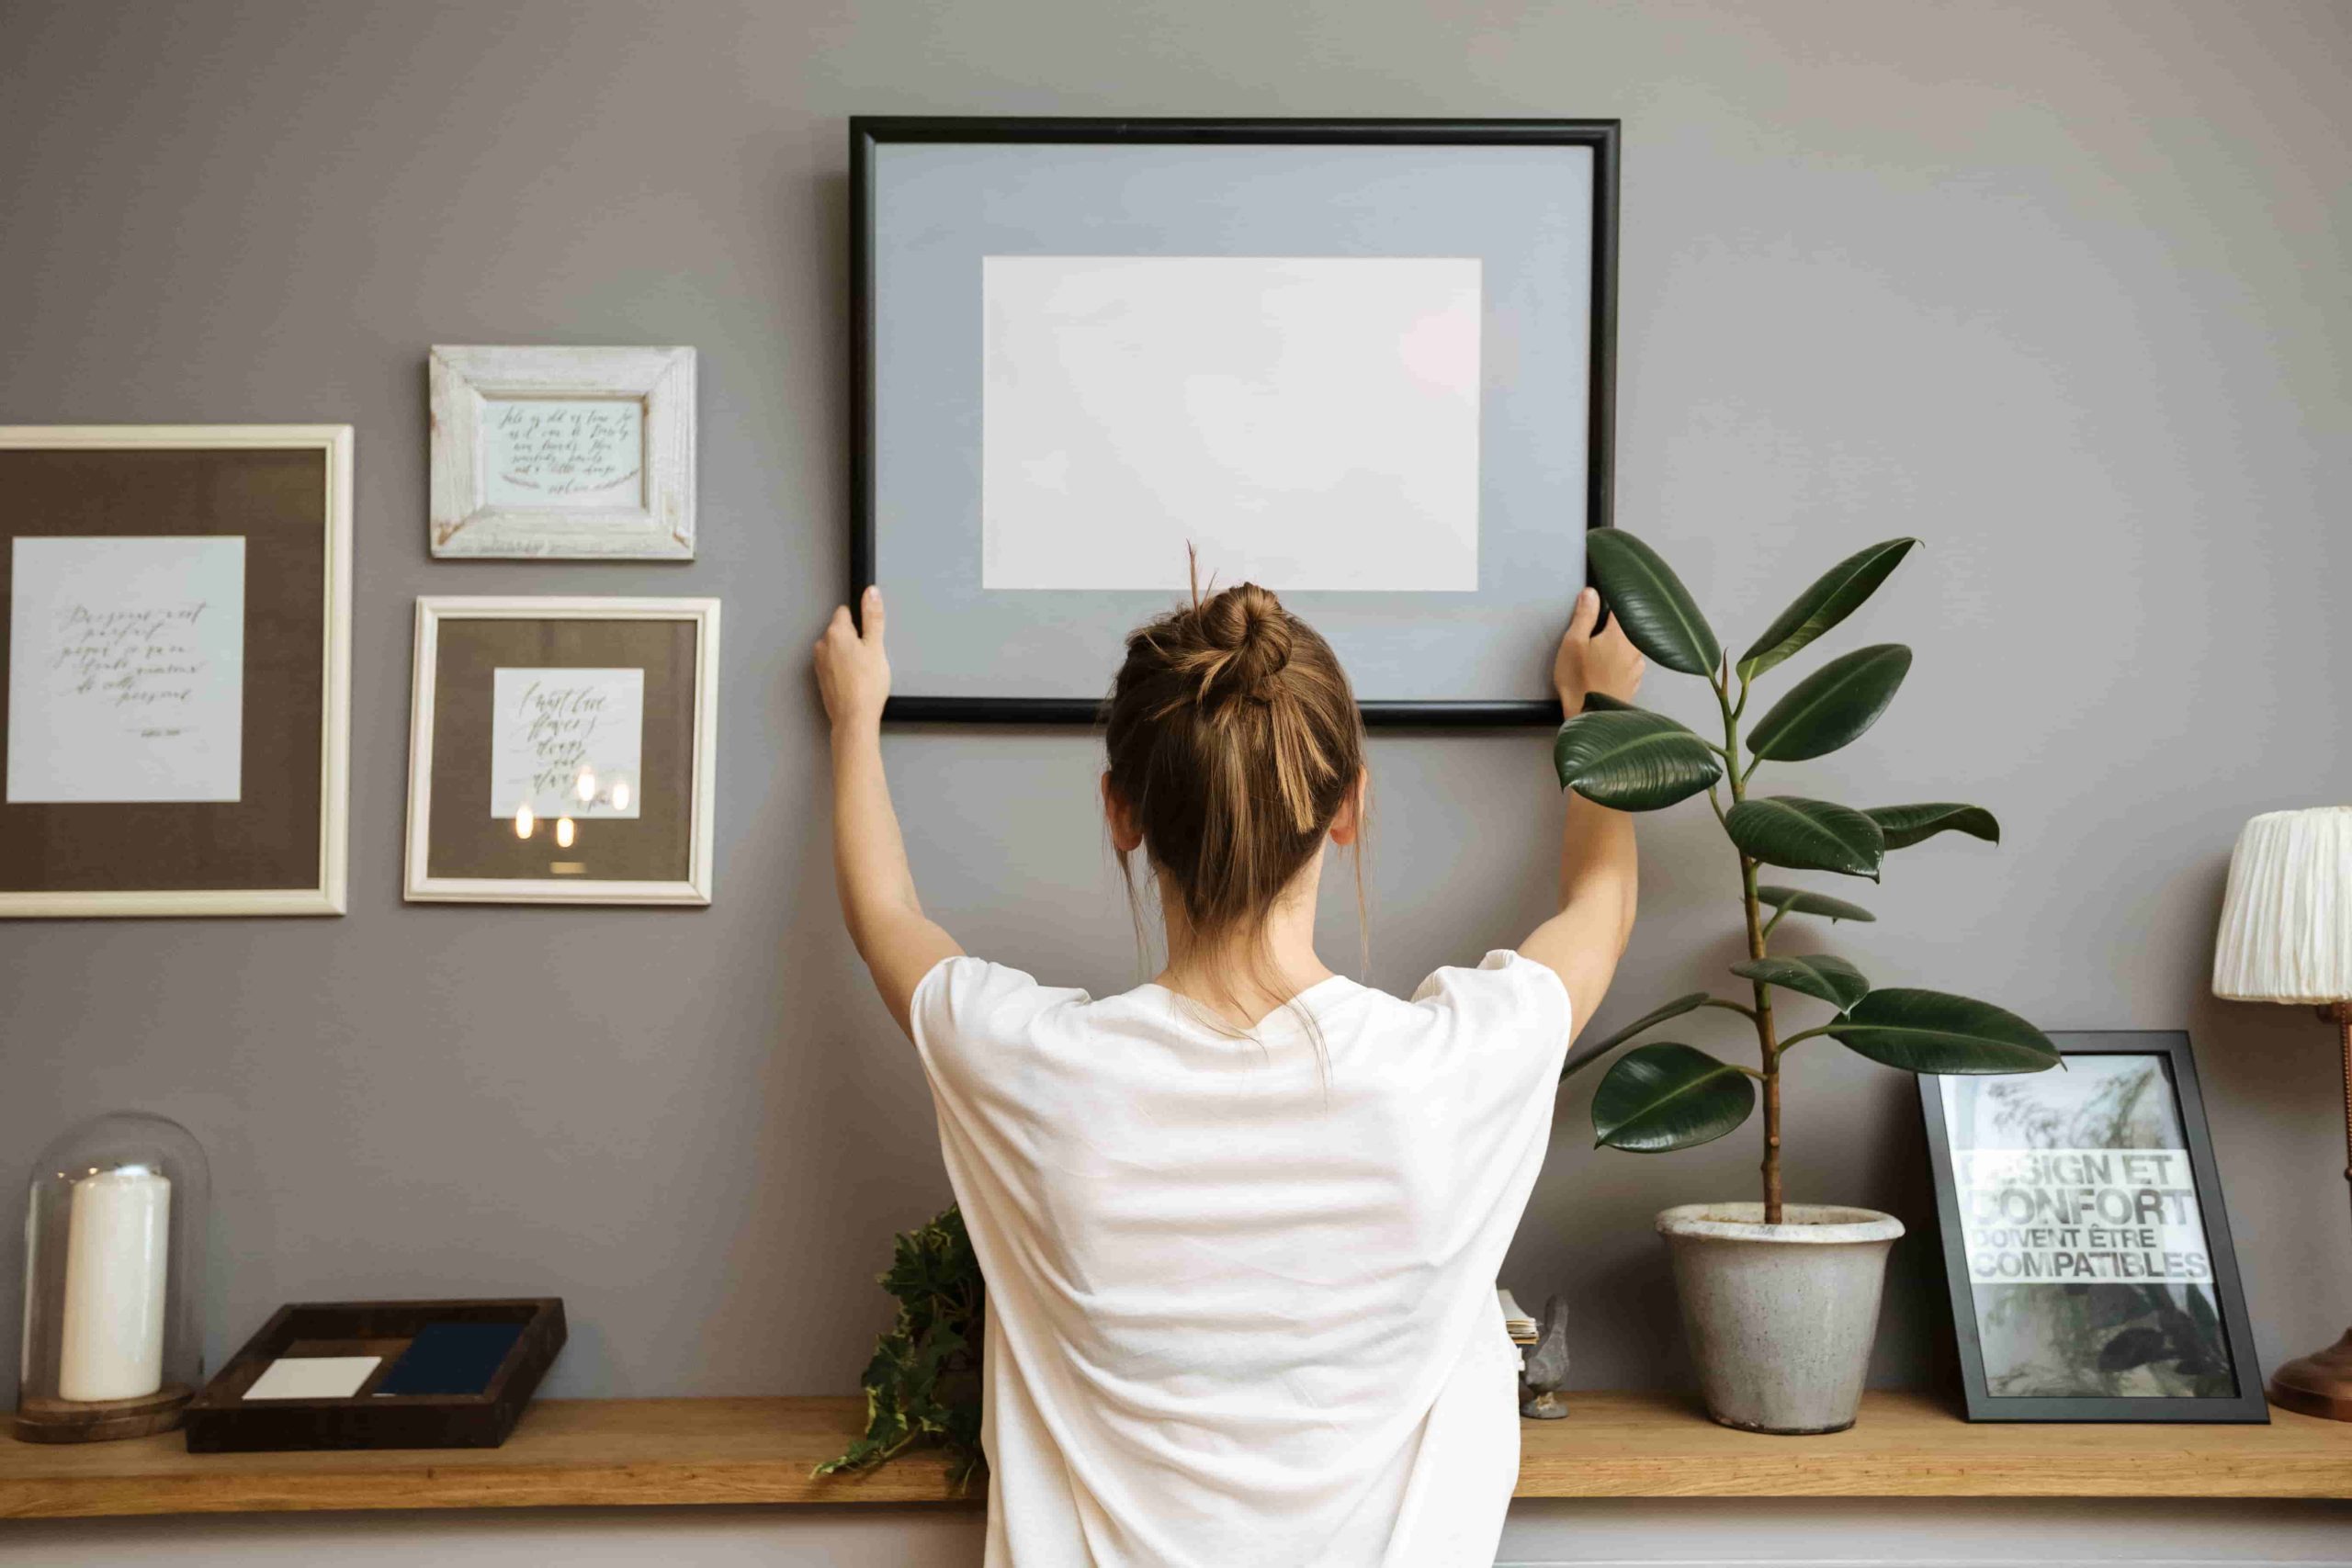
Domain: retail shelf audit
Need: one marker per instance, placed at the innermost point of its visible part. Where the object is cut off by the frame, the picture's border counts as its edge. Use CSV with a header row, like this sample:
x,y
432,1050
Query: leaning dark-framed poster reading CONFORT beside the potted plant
x,y
2085,1240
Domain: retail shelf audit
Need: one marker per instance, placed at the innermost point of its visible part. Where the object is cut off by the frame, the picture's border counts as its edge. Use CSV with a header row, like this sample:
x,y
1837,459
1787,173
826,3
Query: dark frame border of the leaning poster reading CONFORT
x,y
2247,1405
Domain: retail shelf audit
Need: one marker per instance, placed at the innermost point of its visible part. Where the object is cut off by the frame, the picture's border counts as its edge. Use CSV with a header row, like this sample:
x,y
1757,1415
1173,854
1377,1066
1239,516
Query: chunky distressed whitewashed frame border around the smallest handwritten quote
x,y
465,525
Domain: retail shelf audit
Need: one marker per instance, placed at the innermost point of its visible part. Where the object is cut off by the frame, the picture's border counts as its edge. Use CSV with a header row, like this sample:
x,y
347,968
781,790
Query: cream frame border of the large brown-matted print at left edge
x,y
335,681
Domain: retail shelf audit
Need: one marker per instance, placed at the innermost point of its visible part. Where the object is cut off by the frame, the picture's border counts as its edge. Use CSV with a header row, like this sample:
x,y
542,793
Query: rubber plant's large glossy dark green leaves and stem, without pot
x,y
1673,1097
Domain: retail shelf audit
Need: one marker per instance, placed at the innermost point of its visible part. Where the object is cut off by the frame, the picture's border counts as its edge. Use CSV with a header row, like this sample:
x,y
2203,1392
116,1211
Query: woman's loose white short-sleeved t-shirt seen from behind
x,y
1241,1292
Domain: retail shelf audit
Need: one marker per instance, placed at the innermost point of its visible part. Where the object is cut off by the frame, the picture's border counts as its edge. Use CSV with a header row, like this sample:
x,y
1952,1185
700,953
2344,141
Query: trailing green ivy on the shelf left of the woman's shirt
x,y
926,1379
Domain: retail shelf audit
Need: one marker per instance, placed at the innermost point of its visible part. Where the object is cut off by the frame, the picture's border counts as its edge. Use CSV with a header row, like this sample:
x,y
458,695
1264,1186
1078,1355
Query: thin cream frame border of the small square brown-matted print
x,y
422,887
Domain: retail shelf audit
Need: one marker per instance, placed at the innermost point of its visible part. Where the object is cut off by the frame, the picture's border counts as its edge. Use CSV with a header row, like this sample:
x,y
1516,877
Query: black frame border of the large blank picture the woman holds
x,y
867,133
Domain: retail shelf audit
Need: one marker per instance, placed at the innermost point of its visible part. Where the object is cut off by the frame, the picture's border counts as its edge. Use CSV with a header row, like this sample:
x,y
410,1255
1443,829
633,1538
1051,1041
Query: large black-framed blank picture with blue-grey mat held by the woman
x,y
1363,363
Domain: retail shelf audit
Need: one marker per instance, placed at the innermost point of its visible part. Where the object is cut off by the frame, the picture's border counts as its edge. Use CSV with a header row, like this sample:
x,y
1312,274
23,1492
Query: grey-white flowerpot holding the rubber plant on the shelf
x,y
1782,1318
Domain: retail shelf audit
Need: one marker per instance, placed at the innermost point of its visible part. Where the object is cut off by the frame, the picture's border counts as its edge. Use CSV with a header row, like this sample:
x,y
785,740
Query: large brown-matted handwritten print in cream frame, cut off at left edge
x,y
175,709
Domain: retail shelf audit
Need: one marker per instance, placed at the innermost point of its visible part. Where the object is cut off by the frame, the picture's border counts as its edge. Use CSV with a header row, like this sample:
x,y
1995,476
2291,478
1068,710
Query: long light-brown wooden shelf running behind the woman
x,y
707,1452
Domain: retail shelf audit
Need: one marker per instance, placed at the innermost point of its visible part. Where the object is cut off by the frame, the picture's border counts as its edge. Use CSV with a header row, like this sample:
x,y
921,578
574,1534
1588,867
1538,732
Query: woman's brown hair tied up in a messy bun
x,y
1234,739
